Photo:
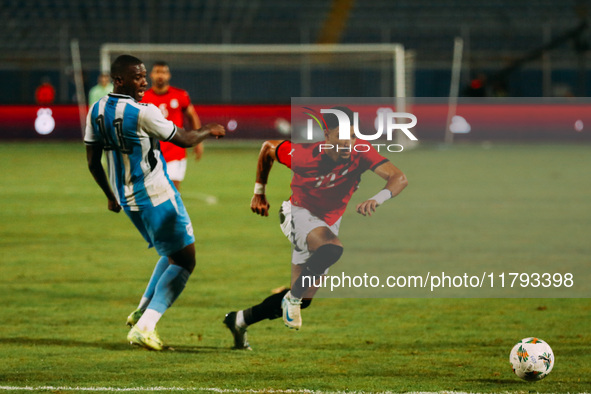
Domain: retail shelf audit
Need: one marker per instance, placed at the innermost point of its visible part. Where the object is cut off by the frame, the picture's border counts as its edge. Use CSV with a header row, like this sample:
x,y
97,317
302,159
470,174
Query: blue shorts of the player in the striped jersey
x,y
166,227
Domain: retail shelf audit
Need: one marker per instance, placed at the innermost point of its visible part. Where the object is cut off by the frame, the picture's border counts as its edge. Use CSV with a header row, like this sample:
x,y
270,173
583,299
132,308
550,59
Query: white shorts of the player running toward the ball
x,y
296,226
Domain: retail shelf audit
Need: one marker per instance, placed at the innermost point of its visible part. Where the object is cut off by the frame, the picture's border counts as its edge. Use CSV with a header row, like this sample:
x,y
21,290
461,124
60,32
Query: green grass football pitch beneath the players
x,y
71,272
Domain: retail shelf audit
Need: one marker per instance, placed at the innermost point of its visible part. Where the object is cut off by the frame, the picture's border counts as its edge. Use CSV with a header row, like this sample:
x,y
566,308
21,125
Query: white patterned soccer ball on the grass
x,y
532,359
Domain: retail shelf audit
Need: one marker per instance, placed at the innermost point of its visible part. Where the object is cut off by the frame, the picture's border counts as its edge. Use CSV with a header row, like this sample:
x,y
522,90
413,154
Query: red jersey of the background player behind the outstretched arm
x,y
173,104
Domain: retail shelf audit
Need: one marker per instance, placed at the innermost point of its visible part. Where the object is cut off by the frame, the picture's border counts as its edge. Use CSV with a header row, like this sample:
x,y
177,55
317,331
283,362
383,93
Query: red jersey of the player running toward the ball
x,y
321,185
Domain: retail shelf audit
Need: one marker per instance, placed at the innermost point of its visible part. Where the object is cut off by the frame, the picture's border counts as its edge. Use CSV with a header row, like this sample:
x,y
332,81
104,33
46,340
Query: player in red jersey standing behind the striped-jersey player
x,y
175,105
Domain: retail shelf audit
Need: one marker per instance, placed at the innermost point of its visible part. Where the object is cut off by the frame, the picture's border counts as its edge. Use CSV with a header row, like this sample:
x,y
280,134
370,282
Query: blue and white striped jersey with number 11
x,y
129,132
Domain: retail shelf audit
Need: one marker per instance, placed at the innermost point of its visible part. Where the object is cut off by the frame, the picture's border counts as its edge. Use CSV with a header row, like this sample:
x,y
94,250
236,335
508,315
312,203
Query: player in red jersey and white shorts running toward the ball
x,y
325,176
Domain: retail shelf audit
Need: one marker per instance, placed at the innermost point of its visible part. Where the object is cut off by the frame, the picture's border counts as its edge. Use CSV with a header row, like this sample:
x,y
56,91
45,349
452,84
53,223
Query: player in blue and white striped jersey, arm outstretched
x,y
129,132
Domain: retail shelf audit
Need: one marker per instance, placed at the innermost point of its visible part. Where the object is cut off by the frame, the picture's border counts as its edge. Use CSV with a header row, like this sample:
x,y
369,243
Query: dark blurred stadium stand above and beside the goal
x,y
36,33
